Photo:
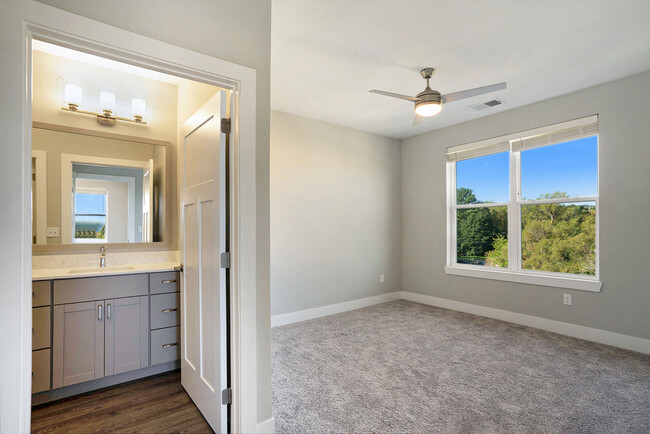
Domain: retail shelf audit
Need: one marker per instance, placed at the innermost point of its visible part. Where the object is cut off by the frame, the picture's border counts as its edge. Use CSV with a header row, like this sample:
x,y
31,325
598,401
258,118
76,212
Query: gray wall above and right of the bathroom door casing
x,y
236,31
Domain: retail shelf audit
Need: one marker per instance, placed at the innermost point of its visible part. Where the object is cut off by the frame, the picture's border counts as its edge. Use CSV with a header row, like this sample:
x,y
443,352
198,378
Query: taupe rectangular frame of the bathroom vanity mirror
x,y
62,249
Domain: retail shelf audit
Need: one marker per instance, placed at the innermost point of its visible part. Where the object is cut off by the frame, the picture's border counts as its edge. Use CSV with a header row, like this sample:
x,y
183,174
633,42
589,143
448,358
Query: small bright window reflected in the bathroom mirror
x,y
90,216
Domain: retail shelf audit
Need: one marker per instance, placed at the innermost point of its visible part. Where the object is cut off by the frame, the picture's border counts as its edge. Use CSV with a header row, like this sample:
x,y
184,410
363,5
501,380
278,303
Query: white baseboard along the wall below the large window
x,y
577,331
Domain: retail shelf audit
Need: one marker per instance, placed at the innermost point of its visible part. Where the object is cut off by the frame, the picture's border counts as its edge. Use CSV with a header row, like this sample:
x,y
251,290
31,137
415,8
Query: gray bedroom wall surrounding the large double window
x,y
623,305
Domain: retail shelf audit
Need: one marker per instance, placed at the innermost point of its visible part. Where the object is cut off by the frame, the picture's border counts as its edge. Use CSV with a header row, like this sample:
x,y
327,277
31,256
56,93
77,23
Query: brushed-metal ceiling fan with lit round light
x,y
429,102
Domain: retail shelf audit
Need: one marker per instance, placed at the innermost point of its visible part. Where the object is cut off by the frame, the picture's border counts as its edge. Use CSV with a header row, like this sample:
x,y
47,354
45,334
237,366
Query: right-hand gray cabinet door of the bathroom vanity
x,y
127,337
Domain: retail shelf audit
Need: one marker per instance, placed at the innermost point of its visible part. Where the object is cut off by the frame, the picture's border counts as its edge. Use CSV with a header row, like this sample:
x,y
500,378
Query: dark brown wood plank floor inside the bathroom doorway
x,y
157,404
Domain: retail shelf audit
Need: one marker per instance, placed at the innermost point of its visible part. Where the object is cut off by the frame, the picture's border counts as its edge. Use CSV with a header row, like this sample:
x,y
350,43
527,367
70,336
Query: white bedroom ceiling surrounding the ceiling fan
x,y
326,55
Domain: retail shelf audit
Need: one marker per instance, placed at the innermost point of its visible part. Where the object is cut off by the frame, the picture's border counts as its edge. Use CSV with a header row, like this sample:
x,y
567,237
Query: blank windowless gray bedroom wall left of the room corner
x,y
335,213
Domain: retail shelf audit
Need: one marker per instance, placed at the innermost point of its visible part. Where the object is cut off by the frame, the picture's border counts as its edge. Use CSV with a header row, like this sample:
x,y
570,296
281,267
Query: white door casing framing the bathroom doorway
x,y
52,25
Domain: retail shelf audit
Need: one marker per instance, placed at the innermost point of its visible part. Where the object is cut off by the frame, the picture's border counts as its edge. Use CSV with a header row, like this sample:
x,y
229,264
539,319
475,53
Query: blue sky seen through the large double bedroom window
x,y
570,167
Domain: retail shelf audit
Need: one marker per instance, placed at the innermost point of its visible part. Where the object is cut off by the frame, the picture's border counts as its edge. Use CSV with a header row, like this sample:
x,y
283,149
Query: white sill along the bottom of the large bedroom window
x,y
579,283
